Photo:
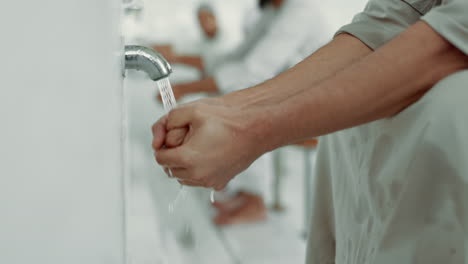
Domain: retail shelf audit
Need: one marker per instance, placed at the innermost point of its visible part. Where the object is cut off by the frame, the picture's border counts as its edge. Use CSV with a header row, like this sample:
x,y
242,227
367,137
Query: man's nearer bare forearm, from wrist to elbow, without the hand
x,y
378,86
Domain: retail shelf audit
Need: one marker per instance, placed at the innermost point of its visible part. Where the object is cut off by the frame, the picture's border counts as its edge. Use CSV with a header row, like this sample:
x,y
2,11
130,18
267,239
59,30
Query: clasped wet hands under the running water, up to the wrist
x,y
208,142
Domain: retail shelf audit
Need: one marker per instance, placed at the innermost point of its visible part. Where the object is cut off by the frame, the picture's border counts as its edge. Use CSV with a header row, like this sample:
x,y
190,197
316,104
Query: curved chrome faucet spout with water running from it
x,y
148,60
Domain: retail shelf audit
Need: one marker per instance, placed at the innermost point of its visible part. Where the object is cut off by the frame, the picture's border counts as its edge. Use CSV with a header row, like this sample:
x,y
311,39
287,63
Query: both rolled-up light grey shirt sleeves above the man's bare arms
x,y
382,20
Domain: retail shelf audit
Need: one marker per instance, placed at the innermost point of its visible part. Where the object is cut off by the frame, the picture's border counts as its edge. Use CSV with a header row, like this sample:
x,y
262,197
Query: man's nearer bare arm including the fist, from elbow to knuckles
x,y
229,133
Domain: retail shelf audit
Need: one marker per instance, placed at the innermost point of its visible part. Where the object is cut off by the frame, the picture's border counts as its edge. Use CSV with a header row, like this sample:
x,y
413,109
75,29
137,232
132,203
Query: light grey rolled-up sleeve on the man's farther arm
x,y
381,21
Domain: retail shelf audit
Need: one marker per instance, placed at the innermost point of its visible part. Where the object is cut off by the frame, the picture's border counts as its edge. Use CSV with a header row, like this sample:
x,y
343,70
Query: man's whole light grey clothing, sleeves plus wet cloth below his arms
x,y
393,191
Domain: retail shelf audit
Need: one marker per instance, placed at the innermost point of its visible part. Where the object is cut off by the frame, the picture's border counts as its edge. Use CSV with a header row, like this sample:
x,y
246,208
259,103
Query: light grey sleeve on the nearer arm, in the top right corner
x,y
450,20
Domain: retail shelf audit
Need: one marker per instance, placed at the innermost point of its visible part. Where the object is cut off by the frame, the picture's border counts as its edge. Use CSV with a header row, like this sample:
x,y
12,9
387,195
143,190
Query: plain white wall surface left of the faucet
x,y
60,132
